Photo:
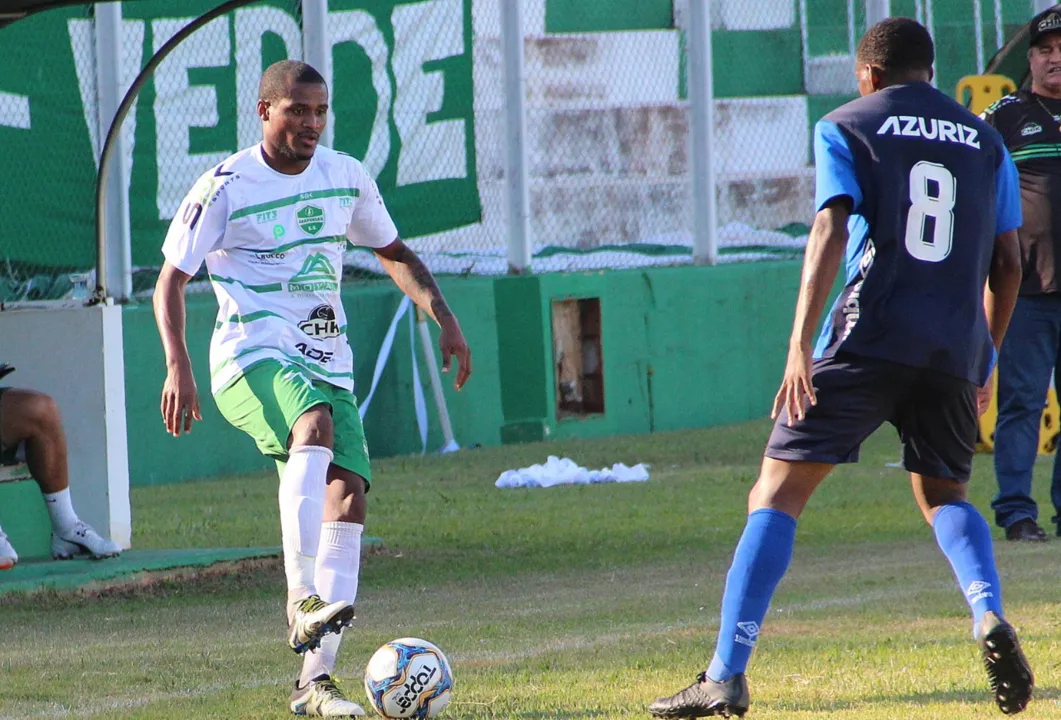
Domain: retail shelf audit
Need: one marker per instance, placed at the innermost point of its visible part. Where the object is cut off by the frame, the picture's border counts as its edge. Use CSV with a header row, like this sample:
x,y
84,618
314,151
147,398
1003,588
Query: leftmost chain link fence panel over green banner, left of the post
x,y
47,95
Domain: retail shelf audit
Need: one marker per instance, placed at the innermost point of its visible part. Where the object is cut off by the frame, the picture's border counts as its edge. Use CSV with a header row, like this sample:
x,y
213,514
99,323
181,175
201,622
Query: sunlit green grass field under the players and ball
x,y
562,603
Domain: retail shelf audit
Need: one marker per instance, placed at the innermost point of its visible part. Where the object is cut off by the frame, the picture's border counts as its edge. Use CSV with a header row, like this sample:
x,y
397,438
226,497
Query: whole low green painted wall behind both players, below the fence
x,y
684,347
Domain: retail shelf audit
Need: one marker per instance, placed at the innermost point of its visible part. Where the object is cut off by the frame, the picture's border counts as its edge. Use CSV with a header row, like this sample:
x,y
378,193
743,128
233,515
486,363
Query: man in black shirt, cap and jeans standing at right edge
x,y
1030,122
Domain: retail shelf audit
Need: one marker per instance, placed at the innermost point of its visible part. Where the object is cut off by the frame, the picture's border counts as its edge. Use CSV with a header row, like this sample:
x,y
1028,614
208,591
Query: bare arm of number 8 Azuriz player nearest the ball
x,y
825,252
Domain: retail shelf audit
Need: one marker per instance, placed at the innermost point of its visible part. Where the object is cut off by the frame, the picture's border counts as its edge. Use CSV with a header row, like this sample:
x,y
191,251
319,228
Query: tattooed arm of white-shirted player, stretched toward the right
x,y
415,280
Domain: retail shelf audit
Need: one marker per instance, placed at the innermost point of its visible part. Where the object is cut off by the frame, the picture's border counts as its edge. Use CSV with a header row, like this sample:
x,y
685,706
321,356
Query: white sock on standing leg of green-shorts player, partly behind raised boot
x,y
339,563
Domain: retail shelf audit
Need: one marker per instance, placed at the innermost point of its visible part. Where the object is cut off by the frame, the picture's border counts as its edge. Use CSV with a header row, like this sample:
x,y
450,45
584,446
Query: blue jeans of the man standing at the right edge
x,y
1031,353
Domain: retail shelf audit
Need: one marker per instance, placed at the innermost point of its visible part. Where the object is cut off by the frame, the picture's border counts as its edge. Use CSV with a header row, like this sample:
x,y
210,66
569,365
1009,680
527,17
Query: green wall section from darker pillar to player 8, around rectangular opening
x,y
671,336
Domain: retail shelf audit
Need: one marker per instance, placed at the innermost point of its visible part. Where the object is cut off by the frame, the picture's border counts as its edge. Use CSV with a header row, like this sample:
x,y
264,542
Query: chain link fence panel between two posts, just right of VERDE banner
x,y
608,138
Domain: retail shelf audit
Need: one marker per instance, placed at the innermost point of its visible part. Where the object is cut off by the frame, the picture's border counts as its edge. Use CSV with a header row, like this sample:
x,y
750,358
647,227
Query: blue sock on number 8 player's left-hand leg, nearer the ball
x,y
760,561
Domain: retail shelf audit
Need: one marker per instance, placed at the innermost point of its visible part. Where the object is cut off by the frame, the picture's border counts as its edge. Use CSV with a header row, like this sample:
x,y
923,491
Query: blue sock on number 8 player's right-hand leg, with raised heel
x,y
966,540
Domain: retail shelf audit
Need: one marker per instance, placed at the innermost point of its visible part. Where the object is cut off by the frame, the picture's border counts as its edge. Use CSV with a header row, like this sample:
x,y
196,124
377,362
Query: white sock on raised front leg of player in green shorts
x,y
302,507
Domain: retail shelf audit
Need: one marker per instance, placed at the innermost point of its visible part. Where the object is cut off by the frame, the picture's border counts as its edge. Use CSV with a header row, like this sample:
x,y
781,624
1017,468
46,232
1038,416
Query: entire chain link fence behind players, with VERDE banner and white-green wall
x,y
419,94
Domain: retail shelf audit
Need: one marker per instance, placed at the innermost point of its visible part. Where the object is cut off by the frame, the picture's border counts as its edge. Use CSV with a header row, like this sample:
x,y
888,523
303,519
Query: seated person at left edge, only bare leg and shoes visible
x,y
31,431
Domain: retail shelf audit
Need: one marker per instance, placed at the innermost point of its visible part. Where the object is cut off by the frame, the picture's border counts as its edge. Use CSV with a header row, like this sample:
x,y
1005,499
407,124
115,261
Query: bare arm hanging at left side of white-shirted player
x,y
180,394
